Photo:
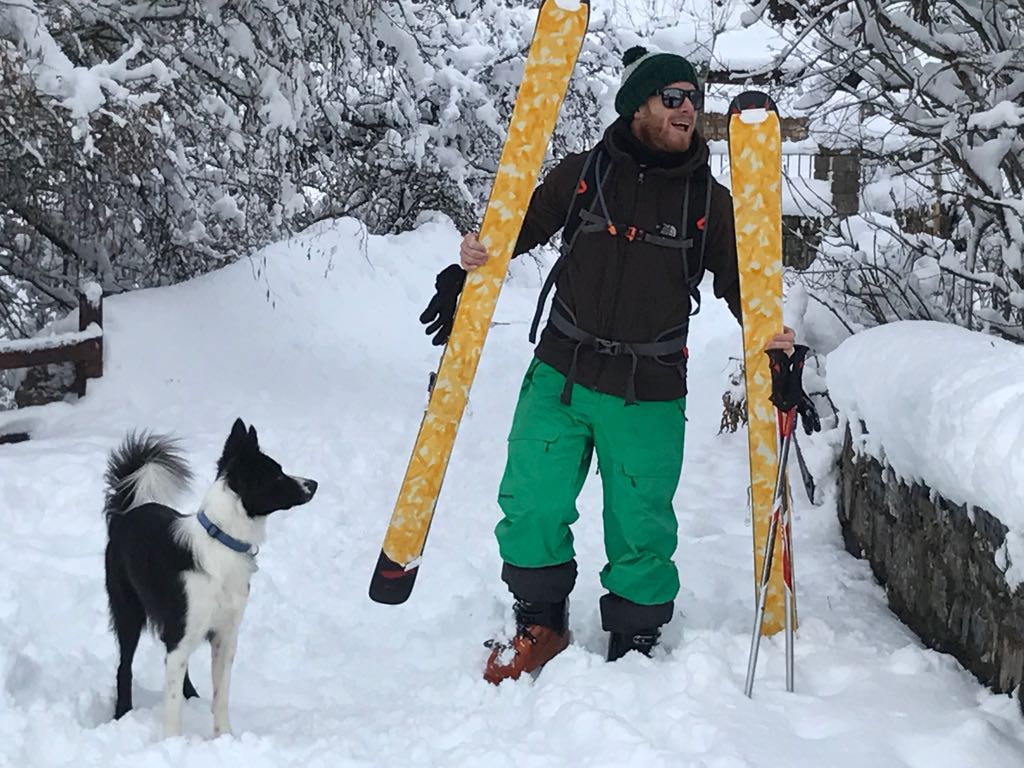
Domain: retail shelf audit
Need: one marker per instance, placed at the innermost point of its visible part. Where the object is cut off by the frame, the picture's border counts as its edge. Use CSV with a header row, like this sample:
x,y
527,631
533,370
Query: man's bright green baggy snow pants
x,y
641,454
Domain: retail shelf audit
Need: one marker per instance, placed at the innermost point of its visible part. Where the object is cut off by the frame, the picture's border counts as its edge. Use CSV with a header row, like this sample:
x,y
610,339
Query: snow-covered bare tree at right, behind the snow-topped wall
x,y
932,91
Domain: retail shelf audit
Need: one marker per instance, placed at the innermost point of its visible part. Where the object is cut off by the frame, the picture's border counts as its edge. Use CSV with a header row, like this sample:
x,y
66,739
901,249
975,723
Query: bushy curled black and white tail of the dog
x,y
145,468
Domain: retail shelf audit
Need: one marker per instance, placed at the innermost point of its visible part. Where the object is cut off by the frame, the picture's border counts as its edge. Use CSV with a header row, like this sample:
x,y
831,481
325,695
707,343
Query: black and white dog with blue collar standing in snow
x,y
188,576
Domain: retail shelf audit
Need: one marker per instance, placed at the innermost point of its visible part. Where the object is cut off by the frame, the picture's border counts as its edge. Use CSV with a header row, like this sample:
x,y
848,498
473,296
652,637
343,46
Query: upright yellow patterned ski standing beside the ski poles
x,y
755,163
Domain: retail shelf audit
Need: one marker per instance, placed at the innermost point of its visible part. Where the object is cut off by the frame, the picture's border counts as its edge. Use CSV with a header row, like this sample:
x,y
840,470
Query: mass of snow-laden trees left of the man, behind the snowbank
x,y
143,144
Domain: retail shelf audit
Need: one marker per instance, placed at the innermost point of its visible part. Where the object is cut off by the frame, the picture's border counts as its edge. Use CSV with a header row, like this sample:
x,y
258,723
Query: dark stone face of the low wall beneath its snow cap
x,y
940,565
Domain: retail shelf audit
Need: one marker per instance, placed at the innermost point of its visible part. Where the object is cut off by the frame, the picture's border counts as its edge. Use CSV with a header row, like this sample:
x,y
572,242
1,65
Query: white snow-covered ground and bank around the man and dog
x,y
321,349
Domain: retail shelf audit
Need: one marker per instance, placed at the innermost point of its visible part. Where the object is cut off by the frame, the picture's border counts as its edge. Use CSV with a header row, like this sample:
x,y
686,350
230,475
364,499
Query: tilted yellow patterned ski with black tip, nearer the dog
x,y
558,39
